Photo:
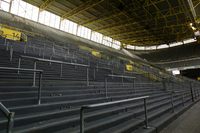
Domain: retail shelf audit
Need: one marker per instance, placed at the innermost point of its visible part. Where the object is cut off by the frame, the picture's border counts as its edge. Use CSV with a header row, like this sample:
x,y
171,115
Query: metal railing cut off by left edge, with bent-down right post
x,y
29,70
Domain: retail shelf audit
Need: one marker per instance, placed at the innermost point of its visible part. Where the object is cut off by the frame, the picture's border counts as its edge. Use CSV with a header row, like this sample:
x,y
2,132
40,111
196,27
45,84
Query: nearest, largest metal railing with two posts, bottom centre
x,y
84,107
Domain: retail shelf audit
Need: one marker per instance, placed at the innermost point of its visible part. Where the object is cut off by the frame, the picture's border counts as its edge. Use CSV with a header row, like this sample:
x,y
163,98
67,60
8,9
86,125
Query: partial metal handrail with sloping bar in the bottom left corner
x,y
9,115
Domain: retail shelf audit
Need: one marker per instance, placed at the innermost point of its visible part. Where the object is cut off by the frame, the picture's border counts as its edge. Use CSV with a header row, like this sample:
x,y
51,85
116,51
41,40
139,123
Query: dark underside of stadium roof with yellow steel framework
x,y
134,22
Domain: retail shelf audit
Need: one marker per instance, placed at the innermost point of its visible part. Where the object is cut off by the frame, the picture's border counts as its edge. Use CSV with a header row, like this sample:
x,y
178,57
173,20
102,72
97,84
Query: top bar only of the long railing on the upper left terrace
x,y
54,61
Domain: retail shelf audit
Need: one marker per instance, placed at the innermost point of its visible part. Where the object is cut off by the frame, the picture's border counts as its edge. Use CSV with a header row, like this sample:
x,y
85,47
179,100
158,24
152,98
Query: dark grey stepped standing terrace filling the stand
x,y
63,95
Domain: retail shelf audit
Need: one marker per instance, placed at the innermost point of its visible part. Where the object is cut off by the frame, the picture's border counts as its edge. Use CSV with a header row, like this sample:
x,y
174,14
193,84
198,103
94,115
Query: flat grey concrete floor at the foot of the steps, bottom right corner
x,y
189,122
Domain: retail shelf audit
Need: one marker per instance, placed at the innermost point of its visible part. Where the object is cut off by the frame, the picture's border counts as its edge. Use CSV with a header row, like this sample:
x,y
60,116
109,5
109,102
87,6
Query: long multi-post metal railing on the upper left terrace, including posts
x,y
61,65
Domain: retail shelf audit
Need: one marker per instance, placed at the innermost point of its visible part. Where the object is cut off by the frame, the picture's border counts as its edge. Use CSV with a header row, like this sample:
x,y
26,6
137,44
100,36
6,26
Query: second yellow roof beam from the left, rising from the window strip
x,y
83,7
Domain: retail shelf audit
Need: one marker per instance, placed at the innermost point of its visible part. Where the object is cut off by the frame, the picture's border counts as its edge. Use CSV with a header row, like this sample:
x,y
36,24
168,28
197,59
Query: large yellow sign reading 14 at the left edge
x,y
12,34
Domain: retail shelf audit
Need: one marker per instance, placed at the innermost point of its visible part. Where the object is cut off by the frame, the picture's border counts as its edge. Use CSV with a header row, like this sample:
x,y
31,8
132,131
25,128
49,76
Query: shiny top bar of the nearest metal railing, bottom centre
x,y
114,102
